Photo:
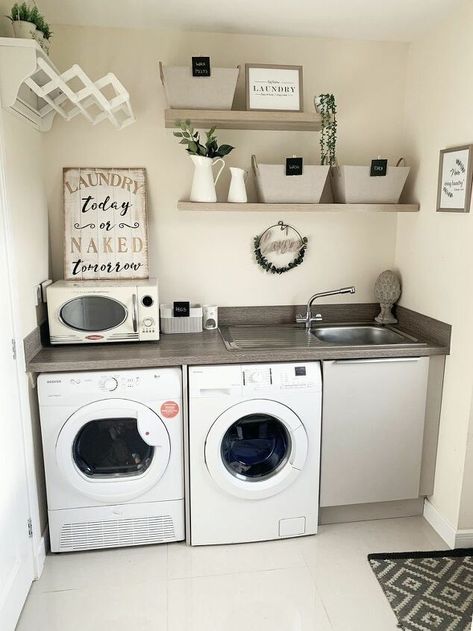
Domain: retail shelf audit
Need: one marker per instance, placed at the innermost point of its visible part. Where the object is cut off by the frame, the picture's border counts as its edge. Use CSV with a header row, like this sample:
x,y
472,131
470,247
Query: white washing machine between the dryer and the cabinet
x,y
254,451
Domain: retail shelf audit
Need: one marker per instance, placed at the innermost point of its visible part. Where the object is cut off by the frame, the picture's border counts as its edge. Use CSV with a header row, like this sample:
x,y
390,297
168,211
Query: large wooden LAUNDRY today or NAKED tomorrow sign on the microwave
x,y
105,223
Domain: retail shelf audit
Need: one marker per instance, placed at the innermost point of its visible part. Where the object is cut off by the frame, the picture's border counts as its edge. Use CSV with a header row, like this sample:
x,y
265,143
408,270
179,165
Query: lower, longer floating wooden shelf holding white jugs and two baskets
x,y
383,208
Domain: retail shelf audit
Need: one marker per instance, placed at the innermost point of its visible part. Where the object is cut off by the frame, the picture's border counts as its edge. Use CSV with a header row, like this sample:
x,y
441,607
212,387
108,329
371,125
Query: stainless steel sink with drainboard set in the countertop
x,y
292,336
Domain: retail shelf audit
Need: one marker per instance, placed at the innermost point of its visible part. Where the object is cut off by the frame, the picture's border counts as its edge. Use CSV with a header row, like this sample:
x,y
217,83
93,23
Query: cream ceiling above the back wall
x,y
396,20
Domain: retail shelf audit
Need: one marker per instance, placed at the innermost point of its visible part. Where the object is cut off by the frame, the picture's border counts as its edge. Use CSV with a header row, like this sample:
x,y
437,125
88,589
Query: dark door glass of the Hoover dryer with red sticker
x,y
111,447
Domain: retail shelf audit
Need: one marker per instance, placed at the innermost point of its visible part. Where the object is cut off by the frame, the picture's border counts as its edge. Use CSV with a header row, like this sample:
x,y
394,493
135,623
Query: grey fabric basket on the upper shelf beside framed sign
x,y
183,91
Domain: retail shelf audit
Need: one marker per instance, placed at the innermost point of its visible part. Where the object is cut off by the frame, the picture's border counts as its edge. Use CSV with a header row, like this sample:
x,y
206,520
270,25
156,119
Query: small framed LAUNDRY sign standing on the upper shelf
x,y
281,88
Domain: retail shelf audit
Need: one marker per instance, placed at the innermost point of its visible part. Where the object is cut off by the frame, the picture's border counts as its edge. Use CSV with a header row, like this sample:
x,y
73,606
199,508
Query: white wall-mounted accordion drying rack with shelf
x,y
31,86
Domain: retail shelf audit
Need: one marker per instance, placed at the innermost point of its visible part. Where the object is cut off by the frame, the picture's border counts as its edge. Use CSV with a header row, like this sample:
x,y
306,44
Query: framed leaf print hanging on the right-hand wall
x,y
455,179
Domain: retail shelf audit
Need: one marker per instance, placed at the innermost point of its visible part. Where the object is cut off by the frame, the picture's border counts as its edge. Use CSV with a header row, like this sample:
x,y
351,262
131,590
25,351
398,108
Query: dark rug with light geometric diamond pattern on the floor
x,y
428,591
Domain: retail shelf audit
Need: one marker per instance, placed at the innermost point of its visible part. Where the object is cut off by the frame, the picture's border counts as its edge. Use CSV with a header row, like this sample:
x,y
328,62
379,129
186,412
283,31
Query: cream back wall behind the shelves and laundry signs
x,y
208,257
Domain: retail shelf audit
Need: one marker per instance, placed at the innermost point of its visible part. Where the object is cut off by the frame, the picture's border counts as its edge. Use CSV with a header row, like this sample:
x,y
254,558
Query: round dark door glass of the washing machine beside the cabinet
x,y
255,447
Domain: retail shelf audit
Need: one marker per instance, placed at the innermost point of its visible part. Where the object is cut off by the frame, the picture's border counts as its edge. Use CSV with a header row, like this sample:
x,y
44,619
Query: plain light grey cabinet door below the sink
x,y
372,430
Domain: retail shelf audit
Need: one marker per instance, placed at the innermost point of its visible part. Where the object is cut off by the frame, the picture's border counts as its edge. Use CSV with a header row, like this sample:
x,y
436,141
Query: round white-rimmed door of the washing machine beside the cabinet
x,y
256,449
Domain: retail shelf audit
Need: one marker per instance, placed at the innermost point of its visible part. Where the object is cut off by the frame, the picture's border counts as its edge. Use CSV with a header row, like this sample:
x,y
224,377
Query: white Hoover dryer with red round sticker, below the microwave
x,y
112,444
